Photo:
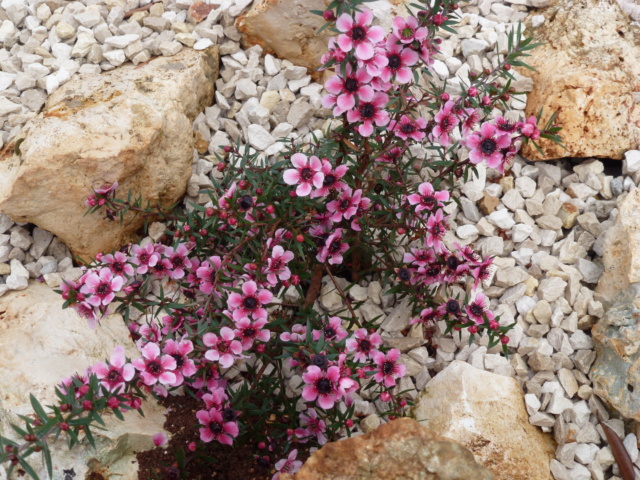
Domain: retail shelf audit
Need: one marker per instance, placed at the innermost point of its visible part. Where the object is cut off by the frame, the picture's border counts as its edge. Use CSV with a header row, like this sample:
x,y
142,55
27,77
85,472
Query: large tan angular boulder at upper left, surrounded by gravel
x,y
132,125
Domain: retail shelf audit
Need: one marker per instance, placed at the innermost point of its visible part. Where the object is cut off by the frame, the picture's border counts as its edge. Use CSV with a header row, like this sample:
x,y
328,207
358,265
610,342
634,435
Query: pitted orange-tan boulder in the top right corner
x,y
588,72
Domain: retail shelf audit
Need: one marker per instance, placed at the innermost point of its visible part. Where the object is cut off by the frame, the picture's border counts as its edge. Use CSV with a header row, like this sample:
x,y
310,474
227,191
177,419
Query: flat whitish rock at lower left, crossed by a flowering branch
x,y
40,343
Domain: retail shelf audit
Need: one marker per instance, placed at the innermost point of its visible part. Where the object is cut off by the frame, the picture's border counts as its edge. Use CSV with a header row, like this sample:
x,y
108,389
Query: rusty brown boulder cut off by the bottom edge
x,y
401,449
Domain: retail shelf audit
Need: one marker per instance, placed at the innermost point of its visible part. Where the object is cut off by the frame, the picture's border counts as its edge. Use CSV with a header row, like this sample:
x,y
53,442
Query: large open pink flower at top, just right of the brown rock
x,y
358,34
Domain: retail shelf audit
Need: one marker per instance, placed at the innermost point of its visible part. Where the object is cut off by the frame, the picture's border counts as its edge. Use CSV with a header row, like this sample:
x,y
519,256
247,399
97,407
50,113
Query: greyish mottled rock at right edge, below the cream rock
x,y
616,371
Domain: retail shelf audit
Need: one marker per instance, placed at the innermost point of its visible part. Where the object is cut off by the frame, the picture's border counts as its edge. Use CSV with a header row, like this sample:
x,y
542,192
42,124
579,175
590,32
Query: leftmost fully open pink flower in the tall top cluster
x,y
345,91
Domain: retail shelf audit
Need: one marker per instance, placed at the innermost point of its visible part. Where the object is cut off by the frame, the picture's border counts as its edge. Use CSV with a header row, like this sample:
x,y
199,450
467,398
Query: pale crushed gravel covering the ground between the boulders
x,y
544,222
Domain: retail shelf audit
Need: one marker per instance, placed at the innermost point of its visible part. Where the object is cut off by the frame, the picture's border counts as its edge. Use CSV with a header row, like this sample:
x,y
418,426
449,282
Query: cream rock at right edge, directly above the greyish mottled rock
x,y
621,250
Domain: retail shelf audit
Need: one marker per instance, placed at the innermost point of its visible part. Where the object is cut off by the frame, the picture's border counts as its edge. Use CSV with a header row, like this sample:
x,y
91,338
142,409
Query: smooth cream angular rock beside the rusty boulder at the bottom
x,y
486,413
